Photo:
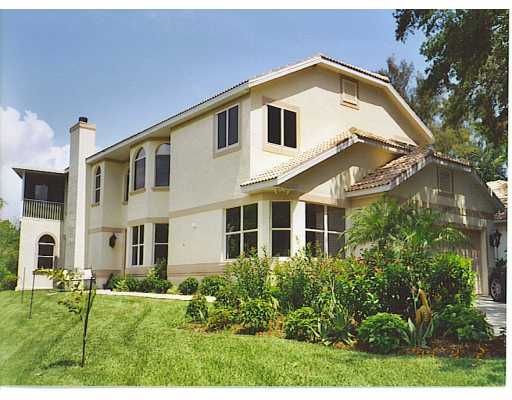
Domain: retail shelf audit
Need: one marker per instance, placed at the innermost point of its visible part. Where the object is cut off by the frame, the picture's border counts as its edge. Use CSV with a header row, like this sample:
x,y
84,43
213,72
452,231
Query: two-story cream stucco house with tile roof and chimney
x,y
273,163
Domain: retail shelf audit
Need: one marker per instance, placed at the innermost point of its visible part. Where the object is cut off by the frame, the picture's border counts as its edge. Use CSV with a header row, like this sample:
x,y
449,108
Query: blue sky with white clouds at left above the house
x,y
126,70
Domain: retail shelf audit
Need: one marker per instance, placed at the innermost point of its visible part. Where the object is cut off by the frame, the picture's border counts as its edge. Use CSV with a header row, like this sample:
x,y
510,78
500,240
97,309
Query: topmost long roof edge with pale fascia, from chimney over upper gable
x,y
244,87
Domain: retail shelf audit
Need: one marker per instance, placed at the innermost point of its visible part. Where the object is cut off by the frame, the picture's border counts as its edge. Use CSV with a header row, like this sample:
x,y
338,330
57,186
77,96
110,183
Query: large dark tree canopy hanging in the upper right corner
x,y
467,55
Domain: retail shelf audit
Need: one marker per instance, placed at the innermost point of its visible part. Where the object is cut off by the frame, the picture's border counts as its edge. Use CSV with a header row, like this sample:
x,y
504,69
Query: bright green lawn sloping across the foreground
x,y
137,341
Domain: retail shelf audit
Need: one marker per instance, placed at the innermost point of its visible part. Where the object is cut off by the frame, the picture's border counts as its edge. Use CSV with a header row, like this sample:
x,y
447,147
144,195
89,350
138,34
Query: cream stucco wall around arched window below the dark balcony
x,y
31,230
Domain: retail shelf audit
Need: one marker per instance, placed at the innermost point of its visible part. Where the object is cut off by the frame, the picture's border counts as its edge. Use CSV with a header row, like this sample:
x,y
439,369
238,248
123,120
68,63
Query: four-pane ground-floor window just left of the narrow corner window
x,y
241,230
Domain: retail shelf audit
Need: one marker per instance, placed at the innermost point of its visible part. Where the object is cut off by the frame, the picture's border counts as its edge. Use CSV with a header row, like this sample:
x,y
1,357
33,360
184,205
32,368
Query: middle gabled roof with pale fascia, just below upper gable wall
x,y
307,159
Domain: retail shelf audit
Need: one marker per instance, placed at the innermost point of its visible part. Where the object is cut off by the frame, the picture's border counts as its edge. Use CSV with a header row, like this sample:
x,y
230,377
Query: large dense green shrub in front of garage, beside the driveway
x,y
451,280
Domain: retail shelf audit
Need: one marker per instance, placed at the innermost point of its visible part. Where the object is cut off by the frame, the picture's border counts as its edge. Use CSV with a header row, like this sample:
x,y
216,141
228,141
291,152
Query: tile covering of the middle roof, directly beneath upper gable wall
x,y
310,154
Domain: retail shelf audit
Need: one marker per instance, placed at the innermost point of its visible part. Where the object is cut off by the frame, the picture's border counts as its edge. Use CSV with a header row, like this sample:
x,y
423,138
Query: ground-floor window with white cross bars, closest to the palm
x,y
324,228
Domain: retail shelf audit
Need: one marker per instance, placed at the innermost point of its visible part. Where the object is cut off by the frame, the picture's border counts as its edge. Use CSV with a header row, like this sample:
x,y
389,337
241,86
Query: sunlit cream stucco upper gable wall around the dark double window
x,y
315,94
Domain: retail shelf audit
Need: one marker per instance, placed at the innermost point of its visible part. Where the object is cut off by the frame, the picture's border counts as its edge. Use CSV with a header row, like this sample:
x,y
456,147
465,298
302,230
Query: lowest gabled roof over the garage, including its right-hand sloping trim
x,y
397,171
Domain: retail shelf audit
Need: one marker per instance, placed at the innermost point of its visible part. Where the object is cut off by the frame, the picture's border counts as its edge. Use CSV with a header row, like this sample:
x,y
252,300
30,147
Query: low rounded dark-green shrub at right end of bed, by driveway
x,y
464,324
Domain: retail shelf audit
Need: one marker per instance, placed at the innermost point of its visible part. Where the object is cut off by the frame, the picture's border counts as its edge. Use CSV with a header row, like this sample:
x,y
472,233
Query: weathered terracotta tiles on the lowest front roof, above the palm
x,y
401,165
